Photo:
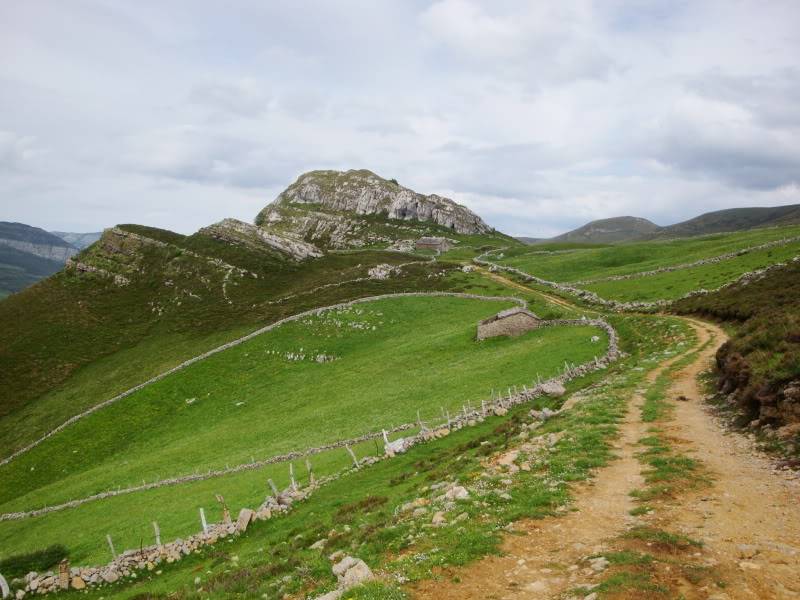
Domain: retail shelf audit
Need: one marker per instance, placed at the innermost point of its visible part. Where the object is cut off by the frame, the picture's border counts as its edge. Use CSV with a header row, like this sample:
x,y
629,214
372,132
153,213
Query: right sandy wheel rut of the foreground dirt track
x,y
749,518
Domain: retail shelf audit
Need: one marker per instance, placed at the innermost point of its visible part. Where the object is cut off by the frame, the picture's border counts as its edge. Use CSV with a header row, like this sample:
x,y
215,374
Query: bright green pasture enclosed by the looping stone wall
x,y
391,358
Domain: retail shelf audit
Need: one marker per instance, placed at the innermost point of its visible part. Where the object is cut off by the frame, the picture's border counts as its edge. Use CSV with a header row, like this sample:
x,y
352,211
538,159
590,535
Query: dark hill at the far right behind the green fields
x,y
733,219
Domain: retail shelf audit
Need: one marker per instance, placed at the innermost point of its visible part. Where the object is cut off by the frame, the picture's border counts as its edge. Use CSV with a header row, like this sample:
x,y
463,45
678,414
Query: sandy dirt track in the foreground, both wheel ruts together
x,y
748,518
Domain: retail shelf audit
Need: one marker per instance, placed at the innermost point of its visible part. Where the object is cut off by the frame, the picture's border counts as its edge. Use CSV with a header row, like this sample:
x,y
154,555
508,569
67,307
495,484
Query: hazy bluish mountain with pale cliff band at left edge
x,y
28,254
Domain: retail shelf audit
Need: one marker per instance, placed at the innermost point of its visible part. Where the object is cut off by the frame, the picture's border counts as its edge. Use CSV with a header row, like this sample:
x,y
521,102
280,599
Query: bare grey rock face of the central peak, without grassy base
x,y
360,193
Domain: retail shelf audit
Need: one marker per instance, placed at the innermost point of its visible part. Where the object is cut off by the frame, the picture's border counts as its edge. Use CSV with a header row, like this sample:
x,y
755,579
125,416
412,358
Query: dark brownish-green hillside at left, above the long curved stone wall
x,y
78,338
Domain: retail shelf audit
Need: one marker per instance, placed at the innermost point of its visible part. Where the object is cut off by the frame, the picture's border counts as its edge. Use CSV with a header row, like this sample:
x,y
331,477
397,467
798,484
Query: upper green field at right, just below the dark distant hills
x,y
622,259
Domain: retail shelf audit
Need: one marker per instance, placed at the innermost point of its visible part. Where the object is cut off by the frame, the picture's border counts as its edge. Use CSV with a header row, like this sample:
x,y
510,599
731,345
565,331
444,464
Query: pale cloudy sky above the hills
x,y
539,116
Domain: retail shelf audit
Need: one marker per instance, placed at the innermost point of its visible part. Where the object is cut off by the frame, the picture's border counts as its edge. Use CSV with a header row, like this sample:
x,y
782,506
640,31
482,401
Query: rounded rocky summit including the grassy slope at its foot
x,y
357,208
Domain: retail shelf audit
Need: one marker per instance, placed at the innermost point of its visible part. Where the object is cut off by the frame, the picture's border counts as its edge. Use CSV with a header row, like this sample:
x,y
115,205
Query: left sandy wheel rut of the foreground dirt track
x,y
541,558
